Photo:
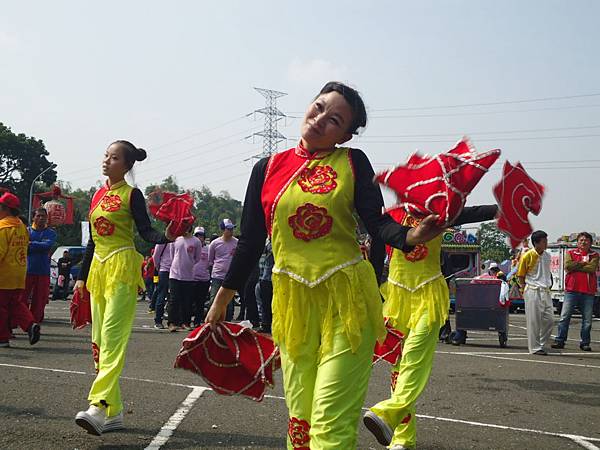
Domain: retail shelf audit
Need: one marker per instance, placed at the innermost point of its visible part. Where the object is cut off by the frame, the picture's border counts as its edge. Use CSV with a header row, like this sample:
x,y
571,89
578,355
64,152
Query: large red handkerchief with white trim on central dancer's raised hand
x,y
438,184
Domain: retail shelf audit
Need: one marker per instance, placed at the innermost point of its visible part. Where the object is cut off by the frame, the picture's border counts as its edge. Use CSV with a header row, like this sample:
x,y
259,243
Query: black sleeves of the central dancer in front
x,y
368,203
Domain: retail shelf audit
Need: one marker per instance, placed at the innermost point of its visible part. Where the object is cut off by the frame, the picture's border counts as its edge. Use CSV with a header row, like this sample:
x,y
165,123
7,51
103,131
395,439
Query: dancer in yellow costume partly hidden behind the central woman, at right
x,y
416,303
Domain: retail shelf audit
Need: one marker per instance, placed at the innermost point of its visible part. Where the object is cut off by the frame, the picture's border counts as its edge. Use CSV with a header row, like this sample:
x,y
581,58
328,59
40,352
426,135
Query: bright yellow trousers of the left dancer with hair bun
x,y
112,319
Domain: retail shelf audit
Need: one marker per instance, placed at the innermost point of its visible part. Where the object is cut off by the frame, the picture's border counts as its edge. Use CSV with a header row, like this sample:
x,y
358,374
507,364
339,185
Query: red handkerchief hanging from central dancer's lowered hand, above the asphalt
x,y
232,359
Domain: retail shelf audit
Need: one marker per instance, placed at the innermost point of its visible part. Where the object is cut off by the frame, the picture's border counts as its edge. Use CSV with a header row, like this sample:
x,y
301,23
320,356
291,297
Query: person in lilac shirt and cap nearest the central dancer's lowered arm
x,y
220,254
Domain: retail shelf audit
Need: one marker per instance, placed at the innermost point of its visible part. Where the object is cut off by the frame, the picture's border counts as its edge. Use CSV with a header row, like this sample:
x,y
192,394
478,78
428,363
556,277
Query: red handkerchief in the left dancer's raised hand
x,y
170,207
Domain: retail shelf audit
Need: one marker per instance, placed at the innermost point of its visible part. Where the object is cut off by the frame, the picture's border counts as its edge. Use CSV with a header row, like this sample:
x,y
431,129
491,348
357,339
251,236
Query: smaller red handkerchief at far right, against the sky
x,y
517,195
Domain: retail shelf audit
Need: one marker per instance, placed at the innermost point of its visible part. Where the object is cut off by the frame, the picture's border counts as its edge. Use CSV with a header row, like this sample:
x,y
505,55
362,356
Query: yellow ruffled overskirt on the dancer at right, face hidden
x,y
404,308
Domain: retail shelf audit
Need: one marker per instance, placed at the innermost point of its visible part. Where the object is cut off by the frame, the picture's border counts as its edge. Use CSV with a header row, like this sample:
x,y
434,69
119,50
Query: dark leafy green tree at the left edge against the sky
x,y
22,159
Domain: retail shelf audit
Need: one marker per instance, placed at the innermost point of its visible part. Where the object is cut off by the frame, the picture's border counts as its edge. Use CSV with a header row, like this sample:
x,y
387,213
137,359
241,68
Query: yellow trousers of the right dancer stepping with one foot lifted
x,y
413,372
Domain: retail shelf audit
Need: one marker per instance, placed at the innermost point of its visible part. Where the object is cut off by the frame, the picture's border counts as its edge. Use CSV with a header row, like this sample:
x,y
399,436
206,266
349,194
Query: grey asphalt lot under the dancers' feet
x,y
479,397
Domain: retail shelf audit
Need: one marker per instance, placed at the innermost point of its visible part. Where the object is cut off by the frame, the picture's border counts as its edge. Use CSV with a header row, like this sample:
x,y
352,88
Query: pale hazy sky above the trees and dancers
x,y
177,79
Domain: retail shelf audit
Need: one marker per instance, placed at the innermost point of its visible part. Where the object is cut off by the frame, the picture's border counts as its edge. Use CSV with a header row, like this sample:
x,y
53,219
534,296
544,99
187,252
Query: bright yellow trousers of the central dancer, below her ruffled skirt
x,y
324,395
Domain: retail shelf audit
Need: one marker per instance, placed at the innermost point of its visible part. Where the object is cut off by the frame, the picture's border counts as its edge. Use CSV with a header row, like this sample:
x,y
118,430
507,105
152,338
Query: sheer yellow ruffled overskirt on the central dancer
x,y
350,293
